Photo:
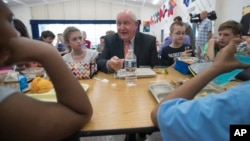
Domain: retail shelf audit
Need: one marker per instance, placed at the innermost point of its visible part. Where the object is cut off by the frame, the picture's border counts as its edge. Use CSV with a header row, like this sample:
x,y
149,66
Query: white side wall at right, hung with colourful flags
x,y
225,9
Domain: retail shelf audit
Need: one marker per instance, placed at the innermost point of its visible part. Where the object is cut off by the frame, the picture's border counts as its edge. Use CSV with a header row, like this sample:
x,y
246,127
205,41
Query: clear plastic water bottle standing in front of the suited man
x,y
130,68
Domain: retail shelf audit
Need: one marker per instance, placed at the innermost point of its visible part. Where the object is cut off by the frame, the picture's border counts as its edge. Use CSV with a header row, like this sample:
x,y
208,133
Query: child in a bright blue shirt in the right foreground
x,y
180,117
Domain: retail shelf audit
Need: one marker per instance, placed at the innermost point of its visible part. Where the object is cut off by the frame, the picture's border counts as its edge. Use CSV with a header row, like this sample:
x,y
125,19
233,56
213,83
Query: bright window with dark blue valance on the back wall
x,y
94,28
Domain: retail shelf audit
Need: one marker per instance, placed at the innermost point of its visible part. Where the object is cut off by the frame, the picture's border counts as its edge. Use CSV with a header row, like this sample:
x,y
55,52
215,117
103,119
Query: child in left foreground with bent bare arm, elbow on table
x,y
24,118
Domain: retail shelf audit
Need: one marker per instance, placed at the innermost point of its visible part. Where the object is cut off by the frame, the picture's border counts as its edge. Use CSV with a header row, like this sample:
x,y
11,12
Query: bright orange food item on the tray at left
x,y
40,85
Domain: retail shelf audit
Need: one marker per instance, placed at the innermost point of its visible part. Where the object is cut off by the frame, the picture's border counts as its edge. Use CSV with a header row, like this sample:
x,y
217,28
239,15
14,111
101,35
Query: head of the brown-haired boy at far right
x,y
227,31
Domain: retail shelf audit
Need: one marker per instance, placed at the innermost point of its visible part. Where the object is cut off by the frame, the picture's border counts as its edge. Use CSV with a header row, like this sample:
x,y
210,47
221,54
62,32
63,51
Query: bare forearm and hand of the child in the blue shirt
x,y
224,62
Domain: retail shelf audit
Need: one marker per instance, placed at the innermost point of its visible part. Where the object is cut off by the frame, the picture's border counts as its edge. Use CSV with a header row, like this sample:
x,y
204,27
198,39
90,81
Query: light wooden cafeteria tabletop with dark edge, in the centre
x,y
121,109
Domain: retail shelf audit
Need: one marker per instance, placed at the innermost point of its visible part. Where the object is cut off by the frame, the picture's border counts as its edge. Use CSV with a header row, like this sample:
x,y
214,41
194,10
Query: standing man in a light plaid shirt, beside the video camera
x,y
204,33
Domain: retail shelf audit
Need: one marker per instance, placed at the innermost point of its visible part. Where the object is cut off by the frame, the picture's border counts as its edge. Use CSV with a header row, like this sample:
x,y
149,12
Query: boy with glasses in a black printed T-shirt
x,y
176,48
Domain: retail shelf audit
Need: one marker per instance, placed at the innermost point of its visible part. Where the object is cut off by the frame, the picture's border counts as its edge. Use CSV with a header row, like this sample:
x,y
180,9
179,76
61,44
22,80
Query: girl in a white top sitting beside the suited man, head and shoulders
x,y
73,39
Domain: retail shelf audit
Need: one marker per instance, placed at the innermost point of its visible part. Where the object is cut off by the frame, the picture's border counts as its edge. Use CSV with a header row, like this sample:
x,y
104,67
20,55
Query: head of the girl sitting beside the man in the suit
x,y
72,38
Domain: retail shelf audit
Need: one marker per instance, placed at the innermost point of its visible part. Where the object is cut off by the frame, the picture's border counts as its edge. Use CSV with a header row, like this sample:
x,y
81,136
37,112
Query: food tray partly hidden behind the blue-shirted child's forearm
x,y
160,90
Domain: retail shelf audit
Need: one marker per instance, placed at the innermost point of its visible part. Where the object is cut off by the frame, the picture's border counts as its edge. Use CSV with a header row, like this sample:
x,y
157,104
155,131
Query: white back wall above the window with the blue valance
x,y
77,10
